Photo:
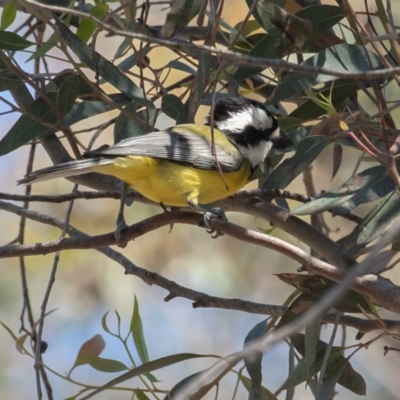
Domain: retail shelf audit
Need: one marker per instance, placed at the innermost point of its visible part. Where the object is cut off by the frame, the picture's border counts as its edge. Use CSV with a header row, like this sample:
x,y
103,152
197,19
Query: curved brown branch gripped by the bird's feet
x,y
378,290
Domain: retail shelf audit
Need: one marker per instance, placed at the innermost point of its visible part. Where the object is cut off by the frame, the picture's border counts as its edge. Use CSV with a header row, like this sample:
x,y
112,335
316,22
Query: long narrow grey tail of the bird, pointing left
x,y
64,170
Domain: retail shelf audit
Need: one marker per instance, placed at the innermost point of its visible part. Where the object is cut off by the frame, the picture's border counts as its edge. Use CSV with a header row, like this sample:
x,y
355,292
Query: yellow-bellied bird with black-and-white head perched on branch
x,y
189,164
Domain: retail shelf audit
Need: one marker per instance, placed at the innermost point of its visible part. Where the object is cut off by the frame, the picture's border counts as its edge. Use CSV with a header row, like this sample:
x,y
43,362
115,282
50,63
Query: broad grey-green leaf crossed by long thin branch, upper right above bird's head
x,y
342,57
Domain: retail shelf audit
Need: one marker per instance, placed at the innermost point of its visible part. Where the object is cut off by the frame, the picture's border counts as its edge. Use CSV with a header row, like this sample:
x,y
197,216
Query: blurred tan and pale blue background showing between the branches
x,y
88,285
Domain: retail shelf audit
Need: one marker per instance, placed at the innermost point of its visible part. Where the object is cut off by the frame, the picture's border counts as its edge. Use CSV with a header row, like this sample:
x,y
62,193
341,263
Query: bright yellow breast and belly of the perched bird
x,y
173,184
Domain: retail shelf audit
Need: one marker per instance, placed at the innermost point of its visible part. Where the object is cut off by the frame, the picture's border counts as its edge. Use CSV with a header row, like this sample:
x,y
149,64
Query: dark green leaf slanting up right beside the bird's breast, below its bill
x,y
307,151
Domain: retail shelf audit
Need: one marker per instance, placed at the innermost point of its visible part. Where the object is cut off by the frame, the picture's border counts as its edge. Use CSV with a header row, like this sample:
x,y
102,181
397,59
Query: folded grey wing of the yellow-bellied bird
x,y
187,148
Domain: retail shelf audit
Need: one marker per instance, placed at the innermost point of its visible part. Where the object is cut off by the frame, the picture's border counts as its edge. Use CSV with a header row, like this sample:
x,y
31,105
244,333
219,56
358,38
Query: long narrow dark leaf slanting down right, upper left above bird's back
x,y
100,65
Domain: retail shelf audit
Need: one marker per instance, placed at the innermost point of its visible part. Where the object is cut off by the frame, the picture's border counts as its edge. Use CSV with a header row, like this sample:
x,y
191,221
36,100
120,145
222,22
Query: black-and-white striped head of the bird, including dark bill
x,y
250,127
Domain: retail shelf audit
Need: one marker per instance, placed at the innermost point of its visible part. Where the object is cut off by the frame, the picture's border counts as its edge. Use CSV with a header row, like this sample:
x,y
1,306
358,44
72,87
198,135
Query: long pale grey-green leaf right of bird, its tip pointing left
x,y
368,185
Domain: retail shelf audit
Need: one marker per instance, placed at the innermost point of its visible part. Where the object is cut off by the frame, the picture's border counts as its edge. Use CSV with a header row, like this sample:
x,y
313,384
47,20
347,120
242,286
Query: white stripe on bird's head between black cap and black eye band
x,y
250,116
